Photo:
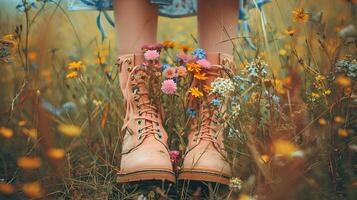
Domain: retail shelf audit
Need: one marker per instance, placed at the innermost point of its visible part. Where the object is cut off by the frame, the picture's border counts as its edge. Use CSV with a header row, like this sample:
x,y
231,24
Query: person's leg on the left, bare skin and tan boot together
x,y
144,154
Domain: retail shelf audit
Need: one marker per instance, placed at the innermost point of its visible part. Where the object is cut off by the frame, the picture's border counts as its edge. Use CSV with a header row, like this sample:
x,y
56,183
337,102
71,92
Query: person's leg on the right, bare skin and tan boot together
x,y
206,158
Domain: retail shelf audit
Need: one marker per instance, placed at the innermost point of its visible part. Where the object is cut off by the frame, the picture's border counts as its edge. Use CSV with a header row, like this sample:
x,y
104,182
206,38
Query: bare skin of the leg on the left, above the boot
x,y
136,24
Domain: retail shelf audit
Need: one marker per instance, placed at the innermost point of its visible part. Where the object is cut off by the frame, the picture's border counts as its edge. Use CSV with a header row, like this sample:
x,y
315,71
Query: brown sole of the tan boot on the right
x,y
201,175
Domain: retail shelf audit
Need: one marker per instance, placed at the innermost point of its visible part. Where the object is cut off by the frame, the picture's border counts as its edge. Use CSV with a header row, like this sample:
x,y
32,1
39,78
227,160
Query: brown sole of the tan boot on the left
x,y
147,175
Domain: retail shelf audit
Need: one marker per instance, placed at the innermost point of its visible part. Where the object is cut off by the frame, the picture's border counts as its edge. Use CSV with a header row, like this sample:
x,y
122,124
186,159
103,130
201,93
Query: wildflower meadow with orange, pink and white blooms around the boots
x,y
288,108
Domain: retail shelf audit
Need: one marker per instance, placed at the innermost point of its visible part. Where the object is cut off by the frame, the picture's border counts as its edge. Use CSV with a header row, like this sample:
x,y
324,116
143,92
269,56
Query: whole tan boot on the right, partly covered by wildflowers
x,y
206,157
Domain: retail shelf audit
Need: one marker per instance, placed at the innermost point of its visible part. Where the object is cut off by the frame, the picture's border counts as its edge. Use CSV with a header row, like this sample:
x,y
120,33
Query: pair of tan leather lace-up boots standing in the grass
x,y
145,154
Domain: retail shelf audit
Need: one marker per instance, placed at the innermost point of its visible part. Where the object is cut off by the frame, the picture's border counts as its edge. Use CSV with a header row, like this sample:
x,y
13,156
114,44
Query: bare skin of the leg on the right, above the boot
x,y
215,17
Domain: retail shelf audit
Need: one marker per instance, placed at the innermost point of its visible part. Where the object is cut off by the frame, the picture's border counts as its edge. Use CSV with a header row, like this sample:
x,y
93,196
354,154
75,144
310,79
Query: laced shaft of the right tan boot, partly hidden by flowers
x,y
207,125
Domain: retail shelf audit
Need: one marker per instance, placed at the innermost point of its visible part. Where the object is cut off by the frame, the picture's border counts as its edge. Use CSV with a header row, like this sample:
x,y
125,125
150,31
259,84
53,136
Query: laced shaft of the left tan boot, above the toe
x,y
142,123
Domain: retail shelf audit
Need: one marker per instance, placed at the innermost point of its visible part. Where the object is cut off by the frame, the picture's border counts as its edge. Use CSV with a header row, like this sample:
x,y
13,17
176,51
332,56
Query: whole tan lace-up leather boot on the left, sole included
x,y
145,154
